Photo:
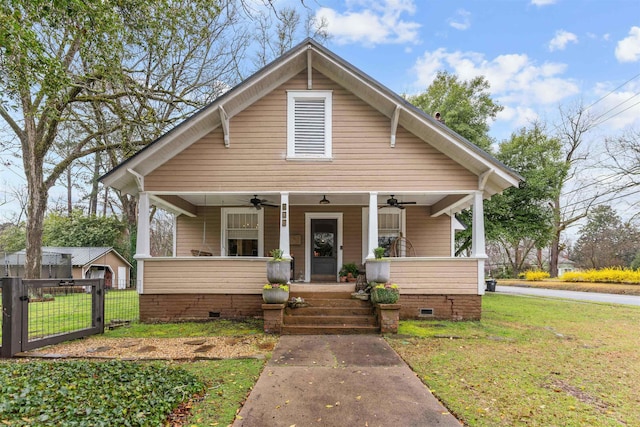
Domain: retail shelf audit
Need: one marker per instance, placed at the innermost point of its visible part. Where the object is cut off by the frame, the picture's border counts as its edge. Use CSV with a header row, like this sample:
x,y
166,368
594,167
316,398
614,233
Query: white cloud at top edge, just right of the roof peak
x,y
371,22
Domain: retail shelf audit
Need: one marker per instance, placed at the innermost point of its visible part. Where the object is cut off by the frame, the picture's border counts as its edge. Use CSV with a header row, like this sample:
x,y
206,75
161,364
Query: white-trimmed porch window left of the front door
x,y
242,232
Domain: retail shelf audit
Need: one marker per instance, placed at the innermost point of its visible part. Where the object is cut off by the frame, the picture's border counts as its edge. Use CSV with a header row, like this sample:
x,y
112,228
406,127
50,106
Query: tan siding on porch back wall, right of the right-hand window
x,y
430,237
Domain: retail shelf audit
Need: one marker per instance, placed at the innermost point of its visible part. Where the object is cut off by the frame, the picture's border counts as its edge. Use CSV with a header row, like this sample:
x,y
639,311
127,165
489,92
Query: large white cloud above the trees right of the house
x,y
516,82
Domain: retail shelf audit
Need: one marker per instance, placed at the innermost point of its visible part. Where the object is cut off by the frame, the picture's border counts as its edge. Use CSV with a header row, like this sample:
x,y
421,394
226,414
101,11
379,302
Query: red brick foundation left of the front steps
x,y
154,308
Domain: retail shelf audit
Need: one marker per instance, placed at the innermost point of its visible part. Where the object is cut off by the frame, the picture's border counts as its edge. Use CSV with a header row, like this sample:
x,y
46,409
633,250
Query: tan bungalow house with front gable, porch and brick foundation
x,y
312,156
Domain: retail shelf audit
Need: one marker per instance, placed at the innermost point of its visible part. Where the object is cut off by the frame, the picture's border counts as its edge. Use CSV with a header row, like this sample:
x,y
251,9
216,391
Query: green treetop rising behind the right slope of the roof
x,y
466,106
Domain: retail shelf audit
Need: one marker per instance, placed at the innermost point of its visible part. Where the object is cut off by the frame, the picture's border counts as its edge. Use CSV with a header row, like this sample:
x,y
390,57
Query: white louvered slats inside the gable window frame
x,y
309,128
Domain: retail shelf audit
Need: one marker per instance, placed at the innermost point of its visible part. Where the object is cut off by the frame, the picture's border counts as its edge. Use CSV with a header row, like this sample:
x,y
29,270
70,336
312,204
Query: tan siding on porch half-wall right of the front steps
x,y
435,276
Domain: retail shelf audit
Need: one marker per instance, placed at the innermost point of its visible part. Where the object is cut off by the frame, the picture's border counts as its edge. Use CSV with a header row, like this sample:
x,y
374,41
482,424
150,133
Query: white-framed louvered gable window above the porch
x,y
309,124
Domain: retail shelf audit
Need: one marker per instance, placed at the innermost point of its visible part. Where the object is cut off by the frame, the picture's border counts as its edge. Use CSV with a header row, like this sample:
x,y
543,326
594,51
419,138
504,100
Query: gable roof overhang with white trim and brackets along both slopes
x,y
310,54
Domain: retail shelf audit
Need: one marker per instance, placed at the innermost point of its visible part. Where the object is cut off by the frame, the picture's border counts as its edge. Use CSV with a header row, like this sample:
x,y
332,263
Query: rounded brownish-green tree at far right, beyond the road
x,y
606,241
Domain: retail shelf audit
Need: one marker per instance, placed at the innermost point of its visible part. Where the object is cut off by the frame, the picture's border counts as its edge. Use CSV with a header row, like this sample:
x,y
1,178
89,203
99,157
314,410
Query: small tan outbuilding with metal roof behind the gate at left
x,y
62,262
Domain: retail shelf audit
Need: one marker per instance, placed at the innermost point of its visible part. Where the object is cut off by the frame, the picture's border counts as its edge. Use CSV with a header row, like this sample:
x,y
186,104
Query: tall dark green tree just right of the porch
x,y
521,219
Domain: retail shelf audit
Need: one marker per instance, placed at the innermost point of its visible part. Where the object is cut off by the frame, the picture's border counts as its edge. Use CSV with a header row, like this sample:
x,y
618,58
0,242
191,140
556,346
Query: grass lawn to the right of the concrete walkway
x,y
533,362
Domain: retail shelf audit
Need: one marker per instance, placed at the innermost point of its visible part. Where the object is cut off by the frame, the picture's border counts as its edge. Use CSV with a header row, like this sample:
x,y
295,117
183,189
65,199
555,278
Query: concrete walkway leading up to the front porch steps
x,y
340,380
